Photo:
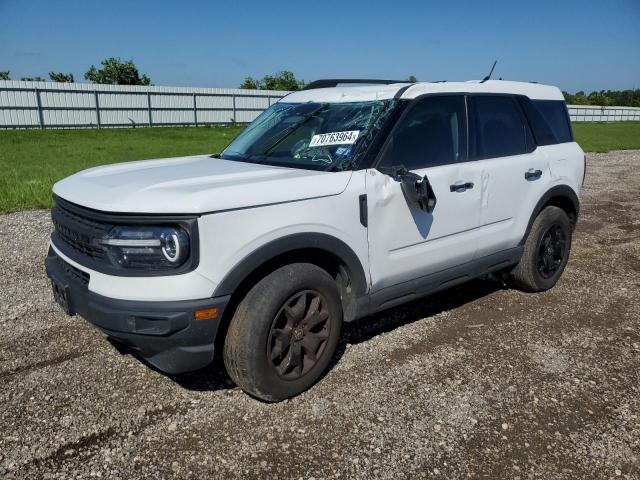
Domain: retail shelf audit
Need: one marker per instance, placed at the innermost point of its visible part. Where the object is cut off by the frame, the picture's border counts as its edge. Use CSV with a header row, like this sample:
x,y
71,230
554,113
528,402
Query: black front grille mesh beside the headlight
x,y
79,232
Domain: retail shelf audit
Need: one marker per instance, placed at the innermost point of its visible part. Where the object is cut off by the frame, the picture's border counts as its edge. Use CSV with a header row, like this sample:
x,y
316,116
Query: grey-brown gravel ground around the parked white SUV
x,y
479,382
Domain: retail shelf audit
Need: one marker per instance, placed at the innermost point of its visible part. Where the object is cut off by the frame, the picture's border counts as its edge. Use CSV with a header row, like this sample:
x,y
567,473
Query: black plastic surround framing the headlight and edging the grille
x,y
187,222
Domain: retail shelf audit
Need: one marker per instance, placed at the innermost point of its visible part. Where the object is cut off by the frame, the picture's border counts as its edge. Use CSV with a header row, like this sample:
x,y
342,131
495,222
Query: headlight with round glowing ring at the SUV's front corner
x,y
146,247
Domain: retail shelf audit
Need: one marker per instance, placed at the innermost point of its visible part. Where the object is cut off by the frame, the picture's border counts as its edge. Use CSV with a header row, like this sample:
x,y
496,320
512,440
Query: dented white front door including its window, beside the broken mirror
x,y
405,242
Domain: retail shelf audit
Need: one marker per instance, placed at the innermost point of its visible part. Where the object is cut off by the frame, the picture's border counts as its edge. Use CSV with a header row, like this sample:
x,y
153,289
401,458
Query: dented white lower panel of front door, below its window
x,y
406,242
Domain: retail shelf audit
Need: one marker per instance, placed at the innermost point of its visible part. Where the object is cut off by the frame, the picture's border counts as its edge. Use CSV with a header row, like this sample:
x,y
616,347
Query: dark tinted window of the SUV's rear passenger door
x,y
499,128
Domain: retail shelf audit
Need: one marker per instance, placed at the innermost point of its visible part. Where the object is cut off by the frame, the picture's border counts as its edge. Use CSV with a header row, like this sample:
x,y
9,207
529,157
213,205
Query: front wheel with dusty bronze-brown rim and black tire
x,y
270,331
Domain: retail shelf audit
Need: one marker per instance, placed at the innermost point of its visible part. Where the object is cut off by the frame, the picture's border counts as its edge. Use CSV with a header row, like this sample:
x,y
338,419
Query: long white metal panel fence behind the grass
x,y
84,105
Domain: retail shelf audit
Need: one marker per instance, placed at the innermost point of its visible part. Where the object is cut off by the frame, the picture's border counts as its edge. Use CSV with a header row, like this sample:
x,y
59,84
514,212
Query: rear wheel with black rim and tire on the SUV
x,y
550,237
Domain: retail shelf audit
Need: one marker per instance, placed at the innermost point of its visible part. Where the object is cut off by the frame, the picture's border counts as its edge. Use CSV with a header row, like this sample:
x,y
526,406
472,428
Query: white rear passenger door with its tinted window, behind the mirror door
x,y
515,172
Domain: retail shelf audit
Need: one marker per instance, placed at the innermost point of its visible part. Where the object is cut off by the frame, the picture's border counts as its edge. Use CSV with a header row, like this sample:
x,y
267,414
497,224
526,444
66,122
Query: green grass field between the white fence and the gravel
x,y
31,161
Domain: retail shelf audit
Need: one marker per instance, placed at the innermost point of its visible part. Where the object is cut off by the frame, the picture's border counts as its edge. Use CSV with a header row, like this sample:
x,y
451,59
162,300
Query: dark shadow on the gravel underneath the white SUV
x,y
214,377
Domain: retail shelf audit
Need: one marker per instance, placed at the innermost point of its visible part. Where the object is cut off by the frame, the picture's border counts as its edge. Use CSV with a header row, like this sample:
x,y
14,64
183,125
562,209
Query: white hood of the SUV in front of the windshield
x,y
195,184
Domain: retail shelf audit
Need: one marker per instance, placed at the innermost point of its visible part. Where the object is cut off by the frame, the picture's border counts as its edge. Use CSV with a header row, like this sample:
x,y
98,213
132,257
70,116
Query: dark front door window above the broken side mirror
x,y
432,132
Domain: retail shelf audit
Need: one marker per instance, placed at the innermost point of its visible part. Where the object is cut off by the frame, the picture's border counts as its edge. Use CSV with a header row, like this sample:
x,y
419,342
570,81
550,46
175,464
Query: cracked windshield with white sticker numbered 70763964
x,y
317,136
